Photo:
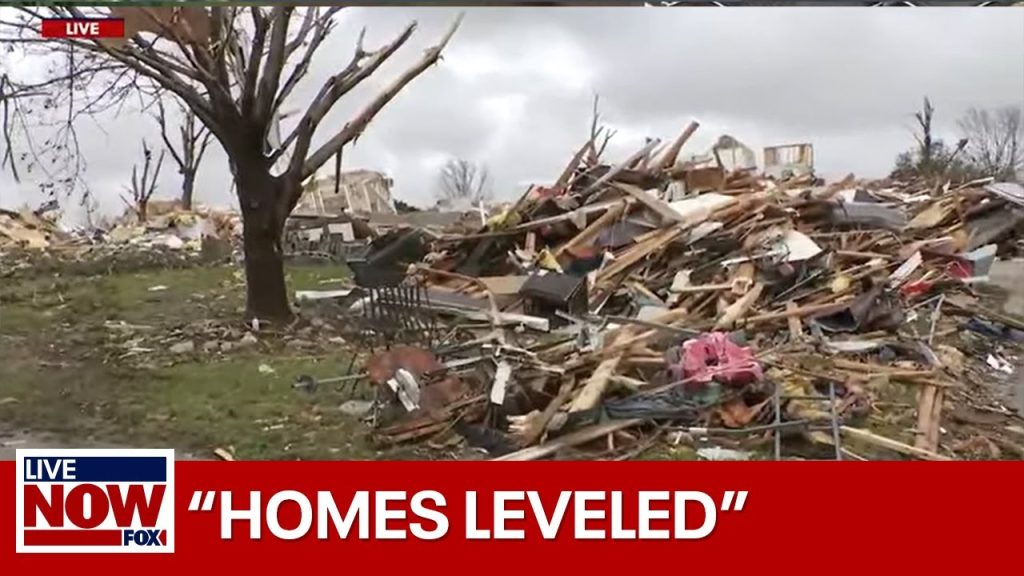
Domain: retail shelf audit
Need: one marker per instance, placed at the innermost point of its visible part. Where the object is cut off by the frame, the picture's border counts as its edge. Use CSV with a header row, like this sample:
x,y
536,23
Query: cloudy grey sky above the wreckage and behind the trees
x,y
516,89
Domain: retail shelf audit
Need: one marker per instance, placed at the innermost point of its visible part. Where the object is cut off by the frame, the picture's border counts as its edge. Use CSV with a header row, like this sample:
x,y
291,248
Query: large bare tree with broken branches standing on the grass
x,y
234,67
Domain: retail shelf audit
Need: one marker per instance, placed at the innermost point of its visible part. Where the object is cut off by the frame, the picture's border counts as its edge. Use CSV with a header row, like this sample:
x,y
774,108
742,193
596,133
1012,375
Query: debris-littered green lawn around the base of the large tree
x,y
88,358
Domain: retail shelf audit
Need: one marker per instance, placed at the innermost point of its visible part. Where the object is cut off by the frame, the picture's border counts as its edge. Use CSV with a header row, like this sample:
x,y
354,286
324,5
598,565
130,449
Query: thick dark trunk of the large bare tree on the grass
x,y
263,226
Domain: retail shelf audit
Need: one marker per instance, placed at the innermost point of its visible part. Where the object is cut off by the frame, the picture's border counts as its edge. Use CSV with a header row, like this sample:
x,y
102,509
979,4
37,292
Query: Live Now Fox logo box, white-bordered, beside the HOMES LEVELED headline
x,y
96,502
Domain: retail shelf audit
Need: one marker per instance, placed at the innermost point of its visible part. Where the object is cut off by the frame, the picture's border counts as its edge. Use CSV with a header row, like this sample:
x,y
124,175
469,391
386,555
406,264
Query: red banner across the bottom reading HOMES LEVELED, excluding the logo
x,y
600,518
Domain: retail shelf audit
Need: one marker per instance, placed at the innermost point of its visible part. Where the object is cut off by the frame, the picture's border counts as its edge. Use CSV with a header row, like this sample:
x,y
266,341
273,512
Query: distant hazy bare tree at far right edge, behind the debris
x,y
996,141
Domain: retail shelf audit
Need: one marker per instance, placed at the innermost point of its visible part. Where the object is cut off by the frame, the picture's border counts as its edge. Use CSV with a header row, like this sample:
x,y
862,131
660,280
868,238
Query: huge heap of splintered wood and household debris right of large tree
x,y
659,299
